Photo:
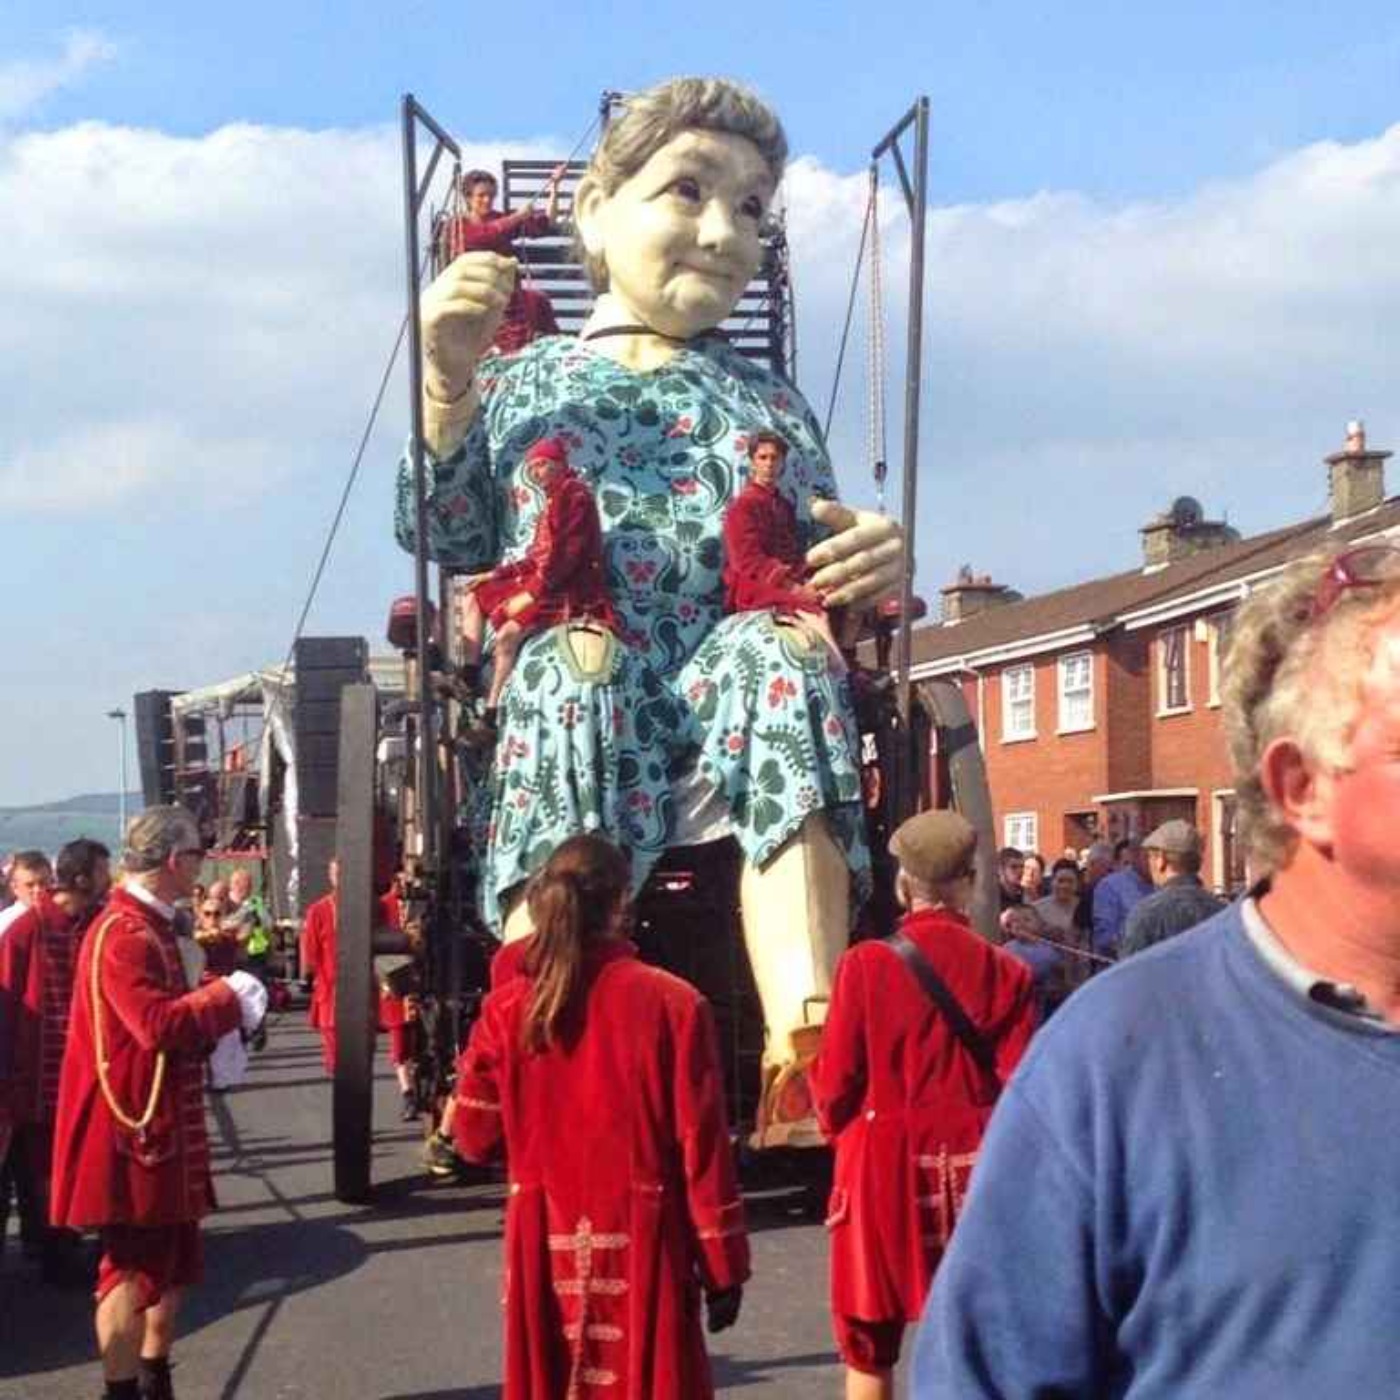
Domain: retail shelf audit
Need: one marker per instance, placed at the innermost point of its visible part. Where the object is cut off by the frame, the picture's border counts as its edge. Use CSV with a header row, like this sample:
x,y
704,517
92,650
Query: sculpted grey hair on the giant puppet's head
x,y
657,117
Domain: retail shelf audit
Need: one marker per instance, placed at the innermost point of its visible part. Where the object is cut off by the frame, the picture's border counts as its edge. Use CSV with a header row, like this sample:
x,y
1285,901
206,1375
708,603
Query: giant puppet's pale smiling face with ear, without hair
x,y
681,239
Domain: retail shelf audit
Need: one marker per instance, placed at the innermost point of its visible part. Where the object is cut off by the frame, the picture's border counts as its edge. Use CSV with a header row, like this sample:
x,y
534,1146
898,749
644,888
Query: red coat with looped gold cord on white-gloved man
x,y
106,1174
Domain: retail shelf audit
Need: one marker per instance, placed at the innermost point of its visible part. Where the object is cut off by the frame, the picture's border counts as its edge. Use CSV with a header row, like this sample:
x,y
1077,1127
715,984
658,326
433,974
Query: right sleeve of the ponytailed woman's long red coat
x,y
712,1192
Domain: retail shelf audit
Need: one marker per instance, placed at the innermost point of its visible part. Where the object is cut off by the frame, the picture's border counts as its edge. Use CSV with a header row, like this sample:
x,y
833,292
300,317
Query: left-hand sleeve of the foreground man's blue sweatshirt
x,y
1016,1310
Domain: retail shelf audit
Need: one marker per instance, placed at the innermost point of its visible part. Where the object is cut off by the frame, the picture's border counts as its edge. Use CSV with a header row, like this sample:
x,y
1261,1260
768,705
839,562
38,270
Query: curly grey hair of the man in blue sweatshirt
x,y
1287,674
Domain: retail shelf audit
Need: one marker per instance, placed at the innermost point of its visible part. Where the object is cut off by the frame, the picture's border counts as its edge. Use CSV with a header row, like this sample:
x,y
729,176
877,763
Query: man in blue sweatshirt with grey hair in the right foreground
x,y
1191,1186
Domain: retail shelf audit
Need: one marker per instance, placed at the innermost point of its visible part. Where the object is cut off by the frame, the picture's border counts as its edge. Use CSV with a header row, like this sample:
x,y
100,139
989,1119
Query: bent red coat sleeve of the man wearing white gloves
x,y
132,986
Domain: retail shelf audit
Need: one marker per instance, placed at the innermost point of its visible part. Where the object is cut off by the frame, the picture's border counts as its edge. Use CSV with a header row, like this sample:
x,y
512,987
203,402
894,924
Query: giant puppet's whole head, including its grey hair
x,y
670,211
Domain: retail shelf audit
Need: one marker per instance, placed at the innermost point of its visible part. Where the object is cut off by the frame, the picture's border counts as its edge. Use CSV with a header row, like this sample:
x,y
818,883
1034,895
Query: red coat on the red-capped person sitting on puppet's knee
x,y
563,569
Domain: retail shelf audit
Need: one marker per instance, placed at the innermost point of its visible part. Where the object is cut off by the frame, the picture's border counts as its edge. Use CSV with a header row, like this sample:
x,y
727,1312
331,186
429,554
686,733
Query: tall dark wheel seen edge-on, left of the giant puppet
x,y
356,905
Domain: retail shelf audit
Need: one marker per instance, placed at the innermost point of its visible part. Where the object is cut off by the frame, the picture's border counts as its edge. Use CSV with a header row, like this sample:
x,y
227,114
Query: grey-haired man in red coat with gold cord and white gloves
x,y
131,1153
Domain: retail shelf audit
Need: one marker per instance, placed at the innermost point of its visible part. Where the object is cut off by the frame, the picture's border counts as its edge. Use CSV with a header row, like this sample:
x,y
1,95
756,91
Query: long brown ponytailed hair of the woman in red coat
x,y
572,904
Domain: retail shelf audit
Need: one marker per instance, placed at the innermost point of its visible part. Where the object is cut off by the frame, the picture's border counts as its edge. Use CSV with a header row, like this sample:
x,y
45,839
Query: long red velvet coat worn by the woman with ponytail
x,y
624,1203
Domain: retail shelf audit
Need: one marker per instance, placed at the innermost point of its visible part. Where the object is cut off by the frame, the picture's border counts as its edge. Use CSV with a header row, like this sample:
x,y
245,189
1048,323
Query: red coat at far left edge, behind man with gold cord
x,y
37,958
